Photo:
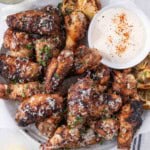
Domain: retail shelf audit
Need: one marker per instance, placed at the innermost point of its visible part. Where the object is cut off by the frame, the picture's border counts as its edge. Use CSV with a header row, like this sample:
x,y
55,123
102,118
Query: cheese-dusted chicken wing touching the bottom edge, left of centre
x,y
63,138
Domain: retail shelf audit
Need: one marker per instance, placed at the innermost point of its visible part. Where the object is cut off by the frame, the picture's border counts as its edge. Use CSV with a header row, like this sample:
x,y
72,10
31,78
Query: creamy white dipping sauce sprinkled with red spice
x,y
118,34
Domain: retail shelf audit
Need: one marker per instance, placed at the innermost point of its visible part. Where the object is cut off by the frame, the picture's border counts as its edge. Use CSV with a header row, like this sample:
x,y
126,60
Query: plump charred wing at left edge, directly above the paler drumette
x,y
18,69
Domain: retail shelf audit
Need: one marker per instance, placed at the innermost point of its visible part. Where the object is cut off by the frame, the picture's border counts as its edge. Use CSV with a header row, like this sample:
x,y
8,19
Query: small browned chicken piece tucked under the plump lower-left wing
x,y
49,125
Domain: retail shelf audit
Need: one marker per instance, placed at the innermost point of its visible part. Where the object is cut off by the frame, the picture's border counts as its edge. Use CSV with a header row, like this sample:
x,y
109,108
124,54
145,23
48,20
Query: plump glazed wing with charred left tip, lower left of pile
x,y
37,108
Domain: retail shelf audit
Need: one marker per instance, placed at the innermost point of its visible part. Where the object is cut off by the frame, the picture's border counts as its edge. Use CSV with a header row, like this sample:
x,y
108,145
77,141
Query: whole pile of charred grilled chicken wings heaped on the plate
x,y
63,88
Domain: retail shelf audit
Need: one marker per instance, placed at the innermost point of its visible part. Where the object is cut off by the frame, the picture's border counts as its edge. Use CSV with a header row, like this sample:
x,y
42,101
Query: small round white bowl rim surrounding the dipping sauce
x,y
146,24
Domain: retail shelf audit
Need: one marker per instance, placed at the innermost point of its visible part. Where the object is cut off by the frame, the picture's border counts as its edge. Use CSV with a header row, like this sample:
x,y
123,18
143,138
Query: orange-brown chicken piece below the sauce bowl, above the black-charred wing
x,y
124,84
